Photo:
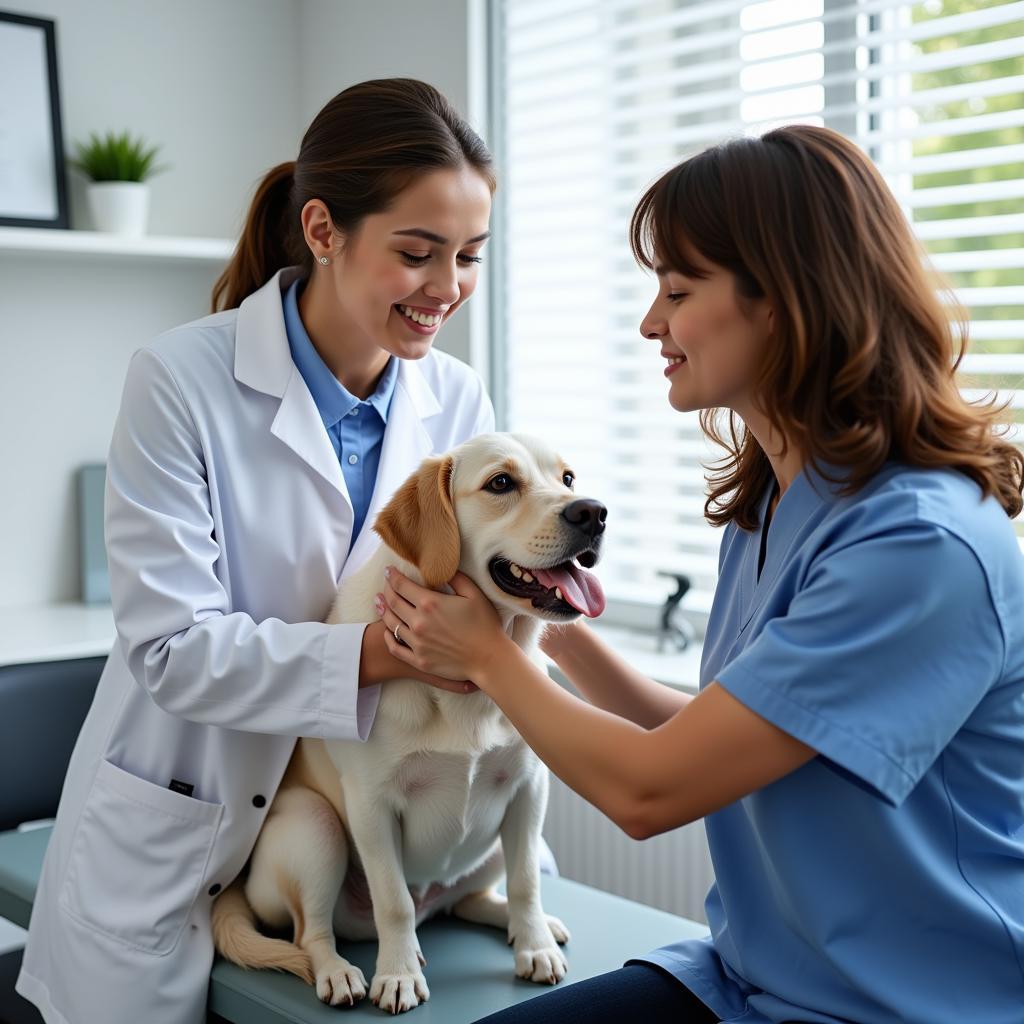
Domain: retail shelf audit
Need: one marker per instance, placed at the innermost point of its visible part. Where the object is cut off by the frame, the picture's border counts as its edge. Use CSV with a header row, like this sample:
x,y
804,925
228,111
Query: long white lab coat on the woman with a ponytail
x,y
228,531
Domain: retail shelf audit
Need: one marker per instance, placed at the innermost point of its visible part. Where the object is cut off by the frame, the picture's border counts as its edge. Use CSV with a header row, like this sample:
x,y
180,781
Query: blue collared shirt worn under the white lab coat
x,y
356,429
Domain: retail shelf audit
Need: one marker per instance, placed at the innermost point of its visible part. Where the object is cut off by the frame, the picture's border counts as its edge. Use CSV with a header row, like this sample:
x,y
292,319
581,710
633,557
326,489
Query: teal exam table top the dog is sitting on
x,y
471,968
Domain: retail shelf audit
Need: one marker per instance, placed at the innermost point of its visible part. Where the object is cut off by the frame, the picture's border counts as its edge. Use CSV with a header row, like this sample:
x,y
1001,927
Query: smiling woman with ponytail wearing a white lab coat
x,y
230,525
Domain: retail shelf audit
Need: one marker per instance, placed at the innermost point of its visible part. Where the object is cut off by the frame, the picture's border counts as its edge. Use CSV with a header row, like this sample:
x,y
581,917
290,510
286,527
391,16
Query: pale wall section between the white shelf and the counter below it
x,y
68,328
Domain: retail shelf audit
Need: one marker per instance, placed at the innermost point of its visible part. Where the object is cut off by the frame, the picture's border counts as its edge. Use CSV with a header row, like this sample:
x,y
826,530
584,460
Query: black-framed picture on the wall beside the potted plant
x,y
33,183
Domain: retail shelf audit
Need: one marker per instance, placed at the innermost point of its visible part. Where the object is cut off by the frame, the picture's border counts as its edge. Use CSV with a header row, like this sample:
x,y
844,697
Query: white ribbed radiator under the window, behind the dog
x,y
671,872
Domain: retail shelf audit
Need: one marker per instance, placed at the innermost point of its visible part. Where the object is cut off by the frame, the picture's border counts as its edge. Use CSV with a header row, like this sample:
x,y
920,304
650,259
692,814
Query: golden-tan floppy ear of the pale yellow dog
x,y
419,523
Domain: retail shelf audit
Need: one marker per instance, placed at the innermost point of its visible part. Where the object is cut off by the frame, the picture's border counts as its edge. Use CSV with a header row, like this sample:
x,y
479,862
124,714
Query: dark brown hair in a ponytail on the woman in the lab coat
x,y
360,153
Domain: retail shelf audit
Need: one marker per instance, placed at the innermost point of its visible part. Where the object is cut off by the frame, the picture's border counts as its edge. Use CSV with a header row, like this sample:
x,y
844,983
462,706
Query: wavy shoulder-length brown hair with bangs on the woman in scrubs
x,y
864,358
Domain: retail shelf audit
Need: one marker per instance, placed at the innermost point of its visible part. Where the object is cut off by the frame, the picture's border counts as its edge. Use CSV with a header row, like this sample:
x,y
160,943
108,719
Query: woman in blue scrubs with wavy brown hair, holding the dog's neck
x,y
858,744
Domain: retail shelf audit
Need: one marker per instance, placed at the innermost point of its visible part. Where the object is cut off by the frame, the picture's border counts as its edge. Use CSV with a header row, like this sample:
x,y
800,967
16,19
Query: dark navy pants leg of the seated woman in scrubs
x,y
638,993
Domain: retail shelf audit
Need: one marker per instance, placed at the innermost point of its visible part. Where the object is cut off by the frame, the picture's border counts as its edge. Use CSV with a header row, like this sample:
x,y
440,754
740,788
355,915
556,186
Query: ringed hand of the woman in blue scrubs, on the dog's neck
x,y
453,636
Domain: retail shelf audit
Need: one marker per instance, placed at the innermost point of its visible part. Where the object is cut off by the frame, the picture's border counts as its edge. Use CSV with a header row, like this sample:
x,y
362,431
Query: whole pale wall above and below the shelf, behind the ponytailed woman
x,y
228,89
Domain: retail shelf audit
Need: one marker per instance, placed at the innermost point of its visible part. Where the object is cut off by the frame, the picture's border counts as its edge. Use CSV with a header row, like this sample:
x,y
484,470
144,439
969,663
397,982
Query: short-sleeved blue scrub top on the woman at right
x,y
883,882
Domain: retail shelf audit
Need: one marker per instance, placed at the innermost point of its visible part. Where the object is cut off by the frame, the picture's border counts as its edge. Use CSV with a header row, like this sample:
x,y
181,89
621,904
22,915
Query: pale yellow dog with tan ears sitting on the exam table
x,y
368,840
